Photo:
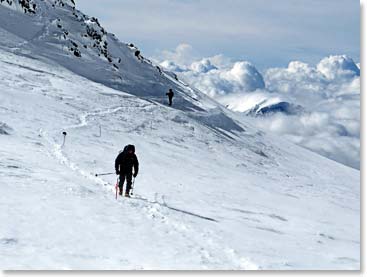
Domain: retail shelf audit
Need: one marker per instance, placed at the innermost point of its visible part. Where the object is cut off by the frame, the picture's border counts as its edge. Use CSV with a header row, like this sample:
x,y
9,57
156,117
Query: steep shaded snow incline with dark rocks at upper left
x,y
66,36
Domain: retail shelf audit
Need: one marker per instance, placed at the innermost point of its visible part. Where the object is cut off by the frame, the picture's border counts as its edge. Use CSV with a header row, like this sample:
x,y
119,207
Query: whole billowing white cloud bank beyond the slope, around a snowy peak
x,y
317,107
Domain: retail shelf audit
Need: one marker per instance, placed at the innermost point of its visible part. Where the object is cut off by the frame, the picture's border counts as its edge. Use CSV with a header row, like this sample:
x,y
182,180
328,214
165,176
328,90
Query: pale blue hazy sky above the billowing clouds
x,y
266,33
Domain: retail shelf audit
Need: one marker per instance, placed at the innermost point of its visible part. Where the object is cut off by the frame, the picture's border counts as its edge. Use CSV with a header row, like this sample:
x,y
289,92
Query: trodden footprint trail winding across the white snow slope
x,y
203,245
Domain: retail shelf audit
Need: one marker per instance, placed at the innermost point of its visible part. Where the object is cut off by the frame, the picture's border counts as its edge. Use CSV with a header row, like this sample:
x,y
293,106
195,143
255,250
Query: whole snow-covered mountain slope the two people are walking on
x,y
213,192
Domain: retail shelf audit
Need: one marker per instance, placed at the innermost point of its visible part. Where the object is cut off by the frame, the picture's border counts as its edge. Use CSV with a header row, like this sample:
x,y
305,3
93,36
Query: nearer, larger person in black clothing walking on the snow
x,y
124,164
